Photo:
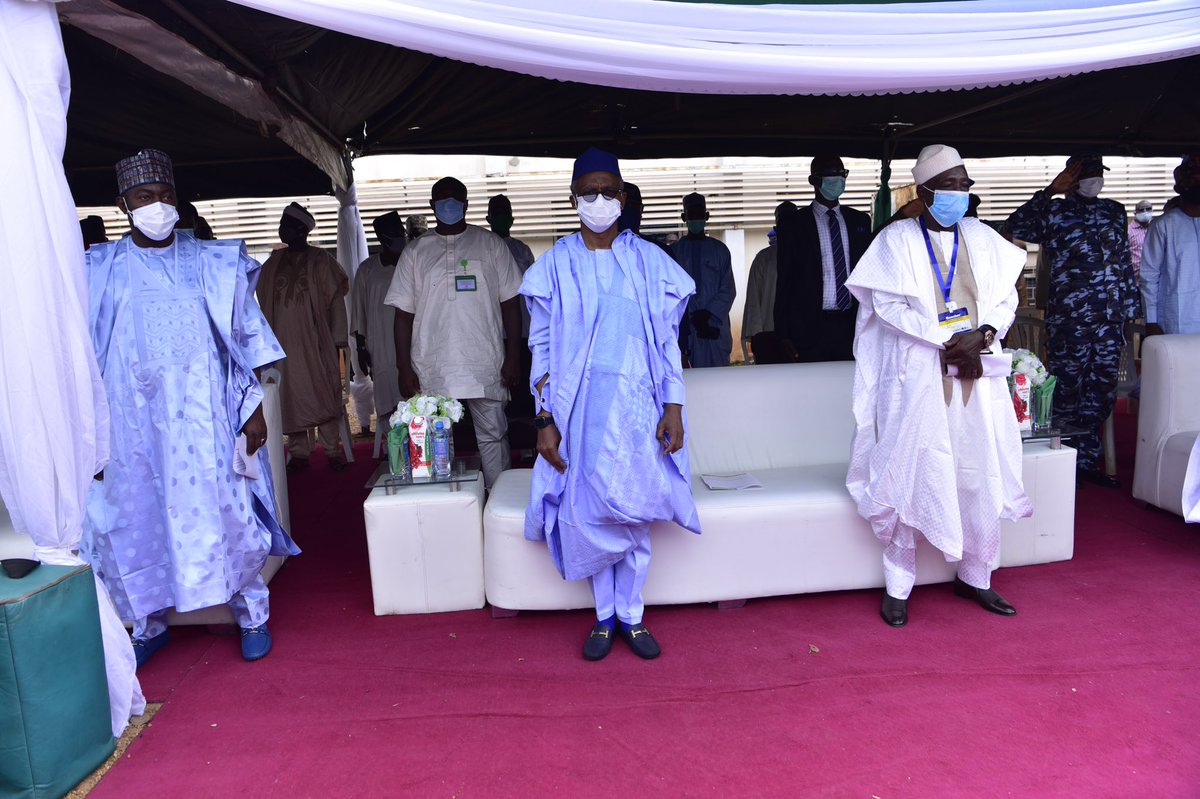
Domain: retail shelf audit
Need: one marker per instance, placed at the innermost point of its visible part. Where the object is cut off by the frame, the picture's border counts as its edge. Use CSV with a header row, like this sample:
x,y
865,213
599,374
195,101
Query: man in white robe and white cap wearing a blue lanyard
x,y
937,453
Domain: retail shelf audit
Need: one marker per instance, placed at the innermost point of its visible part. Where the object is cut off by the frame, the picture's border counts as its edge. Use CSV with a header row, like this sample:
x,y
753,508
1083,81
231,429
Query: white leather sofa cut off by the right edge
x,y
1168,419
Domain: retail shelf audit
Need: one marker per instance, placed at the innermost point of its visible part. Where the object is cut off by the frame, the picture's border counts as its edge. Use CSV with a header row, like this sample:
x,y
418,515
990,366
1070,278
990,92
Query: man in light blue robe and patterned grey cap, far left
x,y
184,514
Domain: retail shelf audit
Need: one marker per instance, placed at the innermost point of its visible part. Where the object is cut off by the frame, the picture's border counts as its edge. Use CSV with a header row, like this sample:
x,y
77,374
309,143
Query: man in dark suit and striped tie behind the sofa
x,y
819,247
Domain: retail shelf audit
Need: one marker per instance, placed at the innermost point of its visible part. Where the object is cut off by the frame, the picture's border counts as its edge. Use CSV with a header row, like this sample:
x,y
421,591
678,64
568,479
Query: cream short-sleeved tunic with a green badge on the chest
x,y
458,332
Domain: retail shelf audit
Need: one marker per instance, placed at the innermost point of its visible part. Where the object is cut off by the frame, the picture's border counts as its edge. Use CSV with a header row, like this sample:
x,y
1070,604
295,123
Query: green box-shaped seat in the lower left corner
x,y
55,718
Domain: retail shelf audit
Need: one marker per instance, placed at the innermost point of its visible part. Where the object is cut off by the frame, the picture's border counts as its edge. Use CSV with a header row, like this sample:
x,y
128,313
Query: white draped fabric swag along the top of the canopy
x,y
787,50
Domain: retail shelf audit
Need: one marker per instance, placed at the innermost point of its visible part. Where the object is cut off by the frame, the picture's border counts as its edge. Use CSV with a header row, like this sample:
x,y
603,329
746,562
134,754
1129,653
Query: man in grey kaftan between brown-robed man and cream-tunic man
x,y
373,321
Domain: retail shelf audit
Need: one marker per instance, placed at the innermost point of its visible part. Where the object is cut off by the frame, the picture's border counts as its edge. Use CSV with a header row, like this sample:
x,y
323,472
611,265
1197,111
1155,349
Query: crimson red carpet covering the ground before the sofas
x,y
1090,692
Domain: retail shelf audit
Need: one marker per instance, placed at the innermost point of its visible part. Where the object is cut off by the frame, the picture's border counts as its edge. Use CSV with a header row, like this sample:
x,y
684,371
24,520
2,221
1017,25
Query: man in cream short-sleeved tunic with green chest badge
x,y
453,290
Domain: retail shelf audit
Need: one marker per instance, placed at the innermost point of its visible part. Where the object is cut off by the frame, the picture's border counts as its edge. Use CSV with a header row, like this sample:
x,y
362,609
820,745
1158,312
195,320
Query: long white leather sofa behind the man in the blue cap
x,y
801,533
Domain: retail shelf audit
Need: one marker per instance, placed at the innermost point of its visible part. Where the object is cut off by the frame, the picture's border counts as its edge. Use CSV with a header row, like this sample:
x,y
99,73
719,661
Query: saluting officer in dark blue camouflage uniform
x,y
1094,293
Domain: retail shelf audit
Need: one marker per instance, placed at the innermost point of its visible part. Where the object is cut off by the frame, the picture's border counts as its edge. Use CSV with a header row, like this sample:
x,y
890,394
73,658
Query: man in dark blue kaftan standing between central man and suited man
x,y
707,339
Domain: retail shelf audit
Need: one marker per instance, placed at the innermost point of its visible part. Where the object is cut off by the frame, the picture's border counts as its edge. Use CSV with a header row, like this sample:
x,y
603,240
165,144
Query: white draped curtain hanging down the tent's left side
x,y
53,414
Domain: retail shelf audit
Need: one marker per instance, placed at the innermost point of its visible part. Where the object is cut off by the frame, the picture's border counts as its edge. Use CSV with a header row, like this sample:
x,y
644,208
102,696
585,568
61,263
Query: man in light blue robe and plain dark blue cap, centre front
x,y
608,382
